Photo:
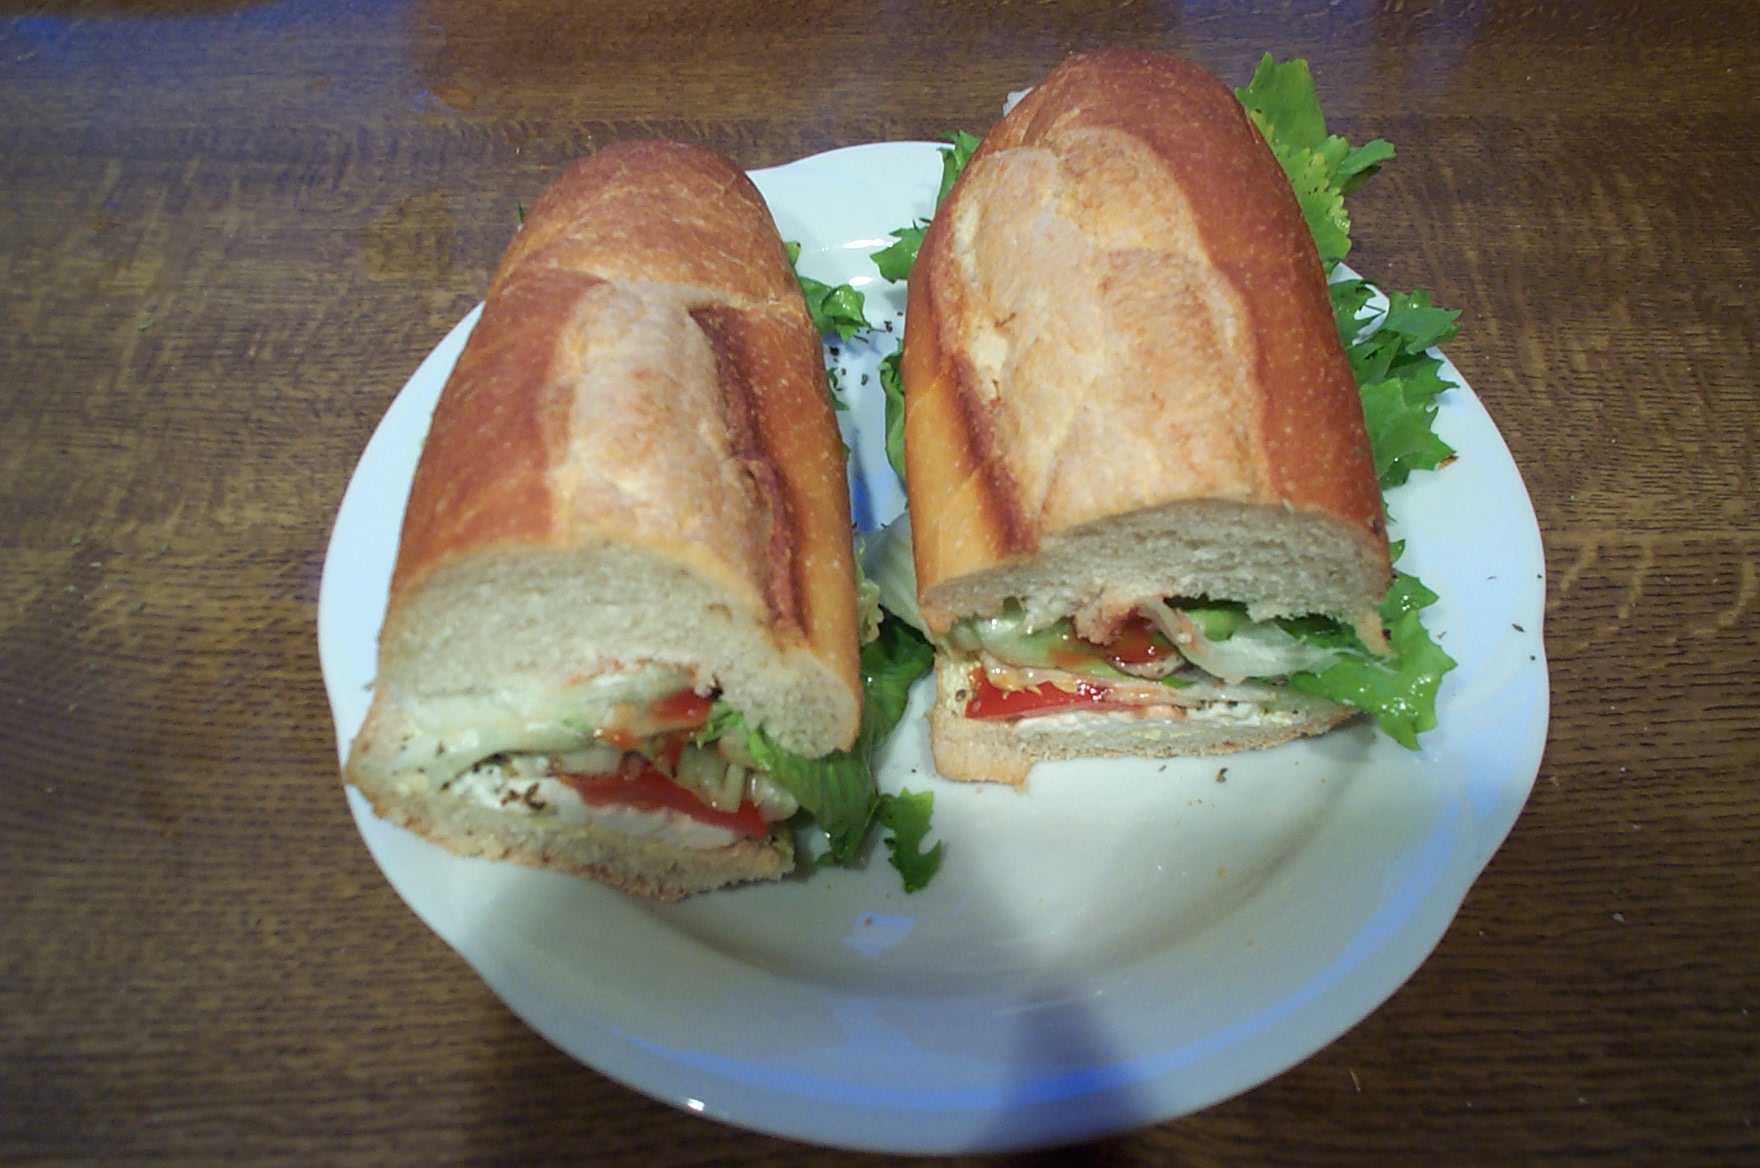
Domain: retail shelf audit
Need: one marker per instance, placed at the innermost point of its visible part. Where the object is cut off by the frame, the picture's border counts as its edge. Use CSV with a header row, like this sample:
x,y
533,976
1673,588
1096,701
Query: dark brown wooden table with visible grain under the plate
x,y
231,231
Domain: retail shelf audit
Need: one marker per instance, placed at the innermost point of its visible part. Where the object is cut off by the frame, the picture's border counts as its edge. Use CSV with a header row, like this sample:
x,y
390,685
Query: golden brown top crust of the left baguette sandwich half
x,y
664,258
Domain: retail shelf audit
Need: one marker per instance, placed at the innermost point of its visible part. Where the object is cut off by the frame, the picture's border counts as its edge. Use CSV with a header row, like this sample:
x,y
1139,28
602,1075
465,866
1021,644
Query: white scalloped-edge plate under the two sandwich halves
x,y
1127,944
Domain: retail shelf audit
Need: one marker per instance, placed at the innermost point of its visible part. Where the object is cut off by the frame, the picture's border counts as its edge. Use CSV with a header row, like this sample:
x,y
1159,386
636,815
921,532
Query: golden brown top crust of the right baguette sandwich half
x,y
1124,224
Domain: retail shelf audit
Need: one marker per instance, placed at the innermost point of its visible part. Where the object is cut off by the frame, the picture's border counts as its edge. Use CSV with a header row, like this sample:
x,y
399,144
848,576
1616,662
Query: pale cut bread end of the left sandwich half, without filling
x,y
573,638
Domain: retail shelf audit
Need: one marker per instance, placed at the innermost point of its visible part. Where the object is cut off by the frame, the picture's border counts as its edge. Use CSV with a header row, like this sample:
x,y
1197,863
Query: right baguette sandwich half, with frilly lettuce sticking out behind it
x,y
1134,449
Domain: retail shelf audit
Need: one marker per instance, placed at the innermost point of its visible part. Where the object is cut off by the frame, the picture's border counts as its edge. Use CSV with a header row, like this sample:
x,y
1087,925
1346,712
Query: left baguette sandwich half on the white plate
x,y
627,555
